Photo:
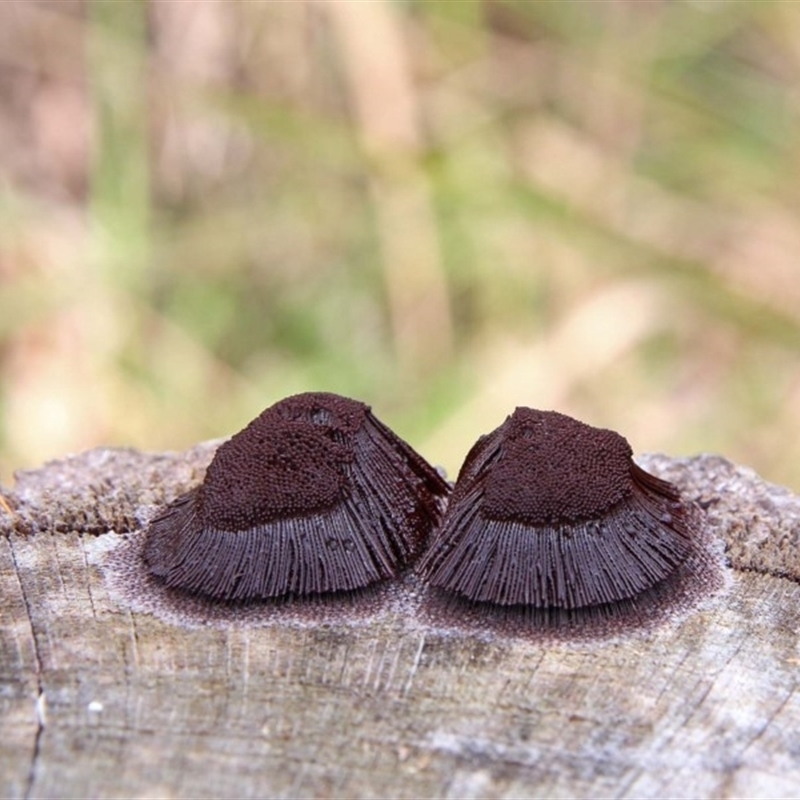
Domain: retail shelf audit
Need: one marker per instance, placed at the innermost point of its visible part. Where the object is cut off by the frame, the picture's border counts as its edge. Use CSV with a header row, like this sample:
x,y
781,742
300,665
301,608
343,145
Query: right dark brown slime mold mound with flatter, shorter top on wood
x,y
552,514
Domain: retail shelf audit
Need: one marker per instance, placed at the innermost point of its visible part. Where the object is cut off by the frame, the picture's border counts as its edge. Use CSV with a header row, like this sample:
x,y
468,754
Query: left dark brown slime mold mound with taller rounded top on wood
x,y
314,496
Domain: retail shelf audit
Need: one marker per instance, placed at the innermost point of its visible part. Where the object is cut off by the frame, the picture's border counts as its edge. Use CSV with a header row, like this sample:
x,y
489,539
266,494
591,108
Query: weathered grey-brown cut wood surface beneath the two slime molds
x,y
99,697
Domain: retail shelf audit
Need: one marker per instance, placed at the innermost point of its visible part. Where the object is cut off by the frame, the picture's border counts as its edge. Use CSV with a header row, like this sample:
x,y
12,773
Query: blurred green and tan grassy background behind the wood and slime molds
x,y
445,209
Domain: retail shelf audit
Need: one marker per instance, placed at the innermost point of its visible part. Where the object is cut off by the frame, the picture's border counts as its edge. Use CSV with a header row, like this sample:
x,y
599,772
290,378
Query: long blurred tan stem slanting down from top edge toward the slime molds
x,y
384,99
